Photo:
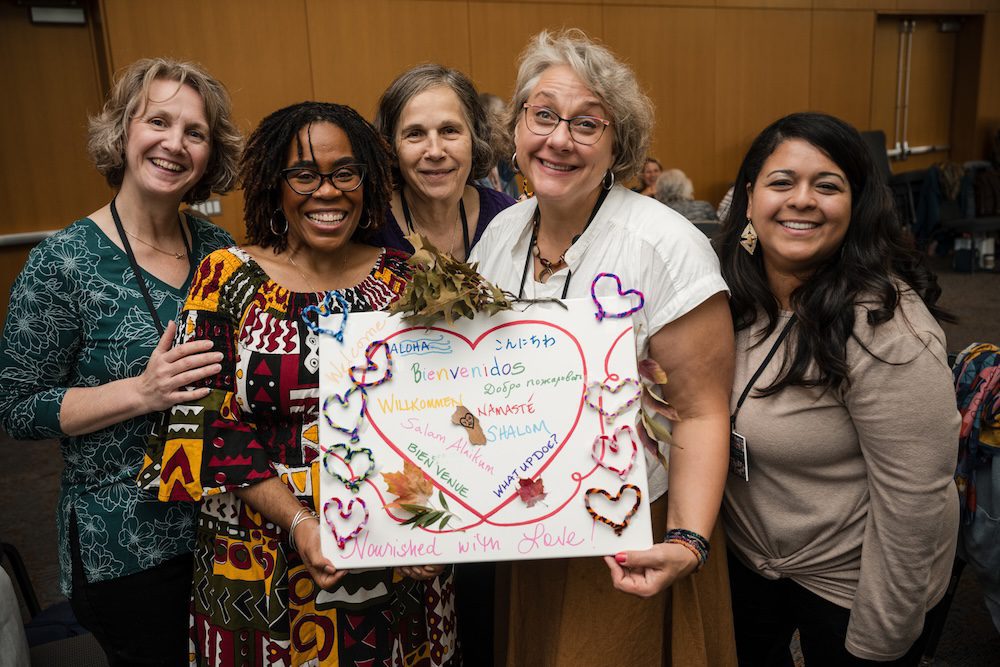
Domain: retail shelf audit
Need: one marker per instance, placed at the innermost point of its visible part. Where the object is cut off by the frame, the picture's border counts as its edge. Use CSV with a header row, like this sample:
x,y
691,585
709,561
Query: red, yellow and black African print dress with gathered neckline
x,y
254,602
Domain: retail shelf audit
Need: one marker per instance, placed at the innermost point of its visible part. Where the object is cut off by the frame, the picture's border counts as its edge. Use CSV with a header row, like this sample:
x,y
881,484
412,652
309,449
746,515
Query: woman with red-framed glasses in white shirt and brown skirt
x,y
581,127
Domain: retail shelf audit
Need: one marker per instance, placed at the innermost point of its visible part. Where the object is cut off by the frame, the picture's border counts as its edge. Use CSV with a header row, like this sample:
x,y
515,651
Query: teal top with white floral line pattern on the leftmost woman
x,y
77,319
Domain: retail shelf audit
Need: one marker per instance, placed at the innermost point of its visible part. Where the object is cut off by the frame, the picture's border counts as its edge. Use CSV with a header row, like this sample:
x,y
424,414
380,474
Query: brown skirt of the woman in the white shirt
x,y
566,612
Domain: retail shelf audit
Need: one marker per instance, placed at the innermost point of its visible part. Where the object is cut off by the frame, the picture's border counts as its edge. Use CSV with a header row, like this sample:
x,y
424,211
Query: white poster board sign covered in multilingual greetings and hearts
x,y
522,426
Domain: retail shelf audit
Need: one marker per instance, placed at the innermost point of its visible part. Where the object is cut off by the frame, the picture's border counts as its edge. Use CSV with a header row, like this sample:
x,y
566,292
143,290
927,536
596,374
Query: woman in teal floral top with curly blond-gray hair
x,y
86,352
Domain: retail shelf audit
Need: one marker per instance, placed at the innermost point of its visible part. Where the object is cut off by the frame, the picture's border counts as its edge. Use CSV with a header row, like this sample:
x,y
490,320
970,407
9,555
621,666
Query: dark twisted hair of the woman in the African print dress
x,y
267,151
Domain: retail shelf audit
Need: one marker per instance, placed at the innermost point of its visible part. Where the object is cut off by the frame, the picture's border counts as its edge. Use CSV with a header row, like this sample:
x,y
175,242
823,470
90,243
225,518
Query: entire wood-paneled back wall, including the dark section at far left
x,y
717,70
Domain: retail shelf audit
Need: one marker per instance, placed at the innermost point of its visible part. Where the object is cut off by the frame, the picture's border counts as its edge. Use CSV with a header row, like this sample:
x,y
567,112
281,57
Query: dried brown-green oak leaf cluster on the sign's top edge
x,y
442,287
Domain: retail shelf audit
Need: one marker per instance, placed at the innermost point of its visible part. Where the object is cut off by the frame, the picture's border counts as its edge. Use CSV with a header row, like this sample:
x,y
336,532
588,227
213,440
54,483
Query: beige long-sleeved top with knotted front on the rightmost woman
x,y
851,492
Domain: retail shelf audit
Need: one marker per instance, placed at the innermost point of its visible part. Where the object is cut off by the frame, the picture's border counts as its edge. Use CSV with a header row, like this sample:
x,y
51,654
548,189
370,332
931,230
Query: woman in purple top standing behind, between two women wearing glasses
x,y
442,139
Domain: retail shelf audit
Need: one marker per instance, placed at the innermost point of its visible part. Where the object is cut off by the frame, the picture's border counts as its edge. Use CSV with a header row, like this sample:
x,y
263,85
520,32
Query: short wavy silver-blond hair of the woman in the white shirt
x,y
612,81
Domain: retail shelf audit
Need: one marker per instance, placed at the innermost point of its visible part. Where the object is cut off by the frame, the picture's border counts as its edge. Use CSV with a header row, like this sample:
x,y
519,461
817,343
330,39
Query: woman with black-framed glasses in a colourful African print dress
x,y
315,180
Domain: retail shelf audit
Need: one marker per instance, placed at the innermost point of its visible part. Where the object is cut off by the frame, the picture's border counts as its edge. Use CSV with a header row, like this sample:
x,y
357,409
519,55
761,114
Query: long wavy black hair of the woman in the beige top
x,y
872,260
